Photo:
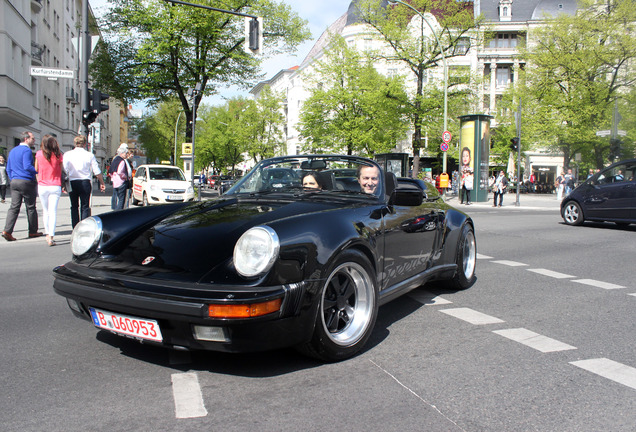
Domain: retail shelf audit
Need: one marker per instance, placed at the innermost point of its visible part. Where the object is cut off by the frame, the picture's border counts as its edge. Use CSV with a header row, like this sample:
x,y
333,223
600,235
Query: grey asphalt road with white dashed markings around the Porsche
x,y
544,341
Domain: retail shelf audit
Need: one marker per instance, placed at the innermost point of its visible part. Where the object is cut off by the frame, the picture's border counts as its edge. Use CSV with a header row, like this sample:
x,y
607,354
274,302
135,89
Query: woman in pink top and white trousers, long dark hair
x,y
48,164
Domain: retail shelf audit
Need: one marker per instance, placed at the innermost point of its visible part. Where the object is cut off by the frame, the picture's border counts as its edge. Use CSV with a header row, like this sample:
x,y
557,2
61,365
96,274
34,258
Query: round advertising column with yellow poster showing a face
x,y
474,152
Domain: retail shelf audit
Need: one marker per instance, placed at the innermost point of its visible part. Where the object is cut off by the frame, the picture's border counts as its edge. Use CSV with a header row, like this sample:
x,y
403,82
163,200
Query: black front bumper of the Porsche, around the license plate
x,y
178,310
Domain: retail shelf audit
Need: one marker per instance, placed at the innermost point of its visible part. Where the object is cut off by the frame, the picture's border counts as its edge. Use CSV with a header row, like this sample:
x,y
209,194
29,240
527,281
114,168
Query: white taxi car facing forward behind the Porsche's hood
x,y
160,184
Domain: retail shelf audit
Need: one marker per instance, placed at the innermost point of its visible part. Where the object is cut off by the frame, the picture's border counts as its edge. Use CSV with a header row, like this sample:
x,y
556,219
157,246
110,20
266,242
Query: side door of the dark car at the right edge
x,y
612,194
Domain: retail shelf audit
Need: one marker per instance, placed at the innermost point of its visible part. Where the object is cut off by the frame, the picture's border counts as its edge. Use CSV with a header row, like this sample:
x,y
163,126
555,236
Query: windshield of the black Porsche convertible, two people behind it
x,y
316,173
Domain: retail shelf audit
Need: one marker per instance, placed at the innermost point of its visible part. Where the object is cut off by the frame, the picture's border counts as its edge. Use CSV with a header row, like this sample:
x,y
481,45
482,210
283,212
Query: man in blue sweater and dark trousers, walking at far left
x,y
24,187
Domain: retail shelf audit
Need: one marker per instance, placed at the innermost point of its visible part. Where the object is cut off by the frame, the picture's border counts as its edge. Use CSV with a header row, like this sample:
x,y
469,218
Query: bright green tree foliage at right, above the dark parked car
x,y
578,66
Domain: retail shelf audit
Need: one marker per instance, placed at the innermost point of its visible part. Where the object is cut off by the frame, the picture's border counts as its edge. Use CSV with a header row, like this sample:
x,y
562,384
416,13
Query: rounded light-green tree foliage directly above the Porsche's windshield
x,y
352,108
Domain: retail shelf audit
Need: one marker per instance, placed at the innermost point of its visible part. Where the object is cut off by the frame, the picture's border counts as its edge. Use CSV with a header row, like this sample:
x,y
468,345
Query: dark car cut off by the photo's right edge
x,y
609,195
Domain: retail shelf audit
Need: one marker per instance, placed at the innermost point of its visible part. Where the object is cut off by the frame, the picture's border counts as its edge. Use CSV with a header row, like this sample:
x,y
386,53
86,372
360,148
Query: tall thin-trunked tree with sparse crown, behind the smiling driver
x,y
411,43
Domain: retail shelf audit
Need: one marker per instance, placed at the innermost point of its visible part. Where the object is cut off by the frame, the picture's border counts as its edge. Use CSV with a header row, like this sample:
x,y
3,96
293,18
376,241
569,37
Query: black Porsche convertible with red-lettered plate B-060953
x,y
300,252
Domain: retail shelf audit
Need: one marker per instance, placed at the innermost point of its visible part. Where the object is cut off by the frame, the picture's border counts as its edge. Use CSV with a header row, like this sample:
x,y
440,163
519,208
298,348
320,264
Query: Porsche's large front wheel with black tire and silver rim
x,y
347,309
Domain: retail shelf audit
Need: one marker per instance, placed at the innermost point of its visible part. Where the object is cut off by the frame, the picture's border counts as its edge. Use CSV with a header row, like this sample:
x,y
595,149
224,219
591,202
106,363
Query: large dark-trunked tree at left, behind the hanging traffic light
x,y
154,50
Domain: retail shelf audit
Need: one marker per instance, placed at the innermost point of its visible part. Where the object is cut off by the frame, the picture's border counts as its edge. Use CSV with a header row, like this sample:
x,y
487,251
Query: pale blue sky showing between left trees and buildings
x,y
319,14
